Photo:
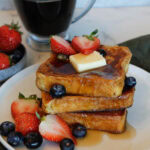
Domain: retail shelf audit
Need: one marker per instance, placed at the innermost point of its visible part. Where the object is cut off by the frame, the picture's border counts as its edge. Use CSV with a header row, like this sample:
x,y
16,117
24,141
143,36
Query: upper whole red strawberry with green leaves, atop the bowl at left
x,y
10,37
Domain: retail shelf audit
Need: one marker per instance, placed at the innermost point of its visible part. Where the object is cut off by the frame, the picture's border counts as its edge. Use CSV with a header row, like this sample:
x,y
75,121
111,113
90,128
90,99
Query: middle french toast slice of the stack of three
x,y
83,103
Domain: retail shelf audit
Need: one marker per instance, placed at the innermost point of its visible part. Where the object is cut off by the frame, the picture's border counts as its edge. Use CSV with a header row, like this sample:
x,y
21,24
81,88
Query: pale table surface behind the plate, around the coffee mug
x,y
120,24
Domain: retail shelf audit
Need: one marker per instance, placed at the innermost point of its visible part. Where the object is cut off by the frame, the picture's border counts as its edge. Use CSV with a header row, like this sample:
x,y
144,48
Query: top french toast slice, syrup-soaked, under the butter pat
x,y
107,81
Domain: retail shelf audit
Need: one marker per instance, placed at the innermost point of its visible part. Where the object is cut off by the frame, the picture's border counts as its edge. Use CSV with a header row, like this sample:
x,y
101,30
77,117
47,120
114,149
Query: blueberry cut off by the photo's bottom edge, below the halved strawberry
x,y
66,144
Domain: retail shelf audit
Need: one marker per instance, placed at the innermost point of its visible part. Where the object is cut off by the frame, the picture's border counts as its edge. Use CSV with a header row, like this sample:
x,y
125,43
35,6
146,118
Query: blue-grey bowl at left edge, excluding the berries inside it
x,y
8,72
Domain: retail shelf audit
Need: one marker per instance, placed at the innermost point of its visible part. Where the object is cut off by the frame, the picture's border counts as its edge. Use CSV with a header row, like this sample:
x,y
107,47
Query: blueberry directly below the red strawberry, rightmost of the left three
x,y
33,140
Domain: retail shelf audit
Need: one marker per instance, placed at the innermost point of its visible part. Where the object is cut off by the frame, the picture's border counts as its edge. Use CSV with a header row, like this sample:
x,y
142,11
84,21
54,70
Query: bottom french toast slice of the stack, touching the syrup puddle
x,y
113,121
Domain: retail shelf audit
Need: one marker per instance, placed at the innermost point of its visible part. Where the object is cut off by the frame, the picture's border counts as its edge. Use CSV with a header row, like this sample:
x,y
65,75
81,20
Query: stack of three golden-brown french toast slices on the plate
x,y
97,98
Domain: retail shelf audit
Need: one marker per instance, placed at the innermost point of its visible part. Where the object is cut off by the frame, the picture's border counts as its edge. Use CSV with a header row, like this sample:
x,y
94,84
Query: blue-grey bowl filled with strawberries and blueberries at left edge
x,y
12,52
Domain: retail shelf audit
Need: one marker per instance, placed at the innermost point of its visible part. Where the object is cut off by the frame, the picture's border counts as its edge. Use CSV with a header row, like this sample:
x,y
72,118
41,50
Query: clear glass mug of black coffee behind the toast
x,y
43,18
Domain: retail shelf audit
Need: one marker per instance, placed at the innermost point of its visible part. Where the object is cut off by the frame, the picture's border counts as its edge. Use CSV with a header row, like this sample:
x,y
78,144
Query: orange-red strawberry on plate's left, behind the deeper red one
x,y
23,105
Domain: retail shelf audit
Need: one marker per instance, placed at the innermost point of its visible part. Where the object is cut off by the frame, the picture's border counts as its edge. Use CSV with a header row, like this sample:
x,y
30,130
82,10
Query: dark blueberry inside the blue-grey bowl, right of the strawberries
x,y
18,54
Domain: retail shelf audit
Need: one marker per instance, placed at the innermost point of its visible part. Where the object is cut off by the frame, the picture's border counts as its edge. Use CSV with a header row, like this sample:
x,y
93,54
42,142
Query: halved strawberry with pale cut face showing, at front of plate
x,y
53,128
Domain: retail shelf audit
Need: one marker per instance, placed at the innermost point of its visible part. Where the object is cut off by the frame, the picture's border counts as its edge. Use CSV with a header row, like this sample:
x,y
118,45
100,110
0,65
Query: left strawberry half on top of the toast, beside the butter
x,y
59,45
